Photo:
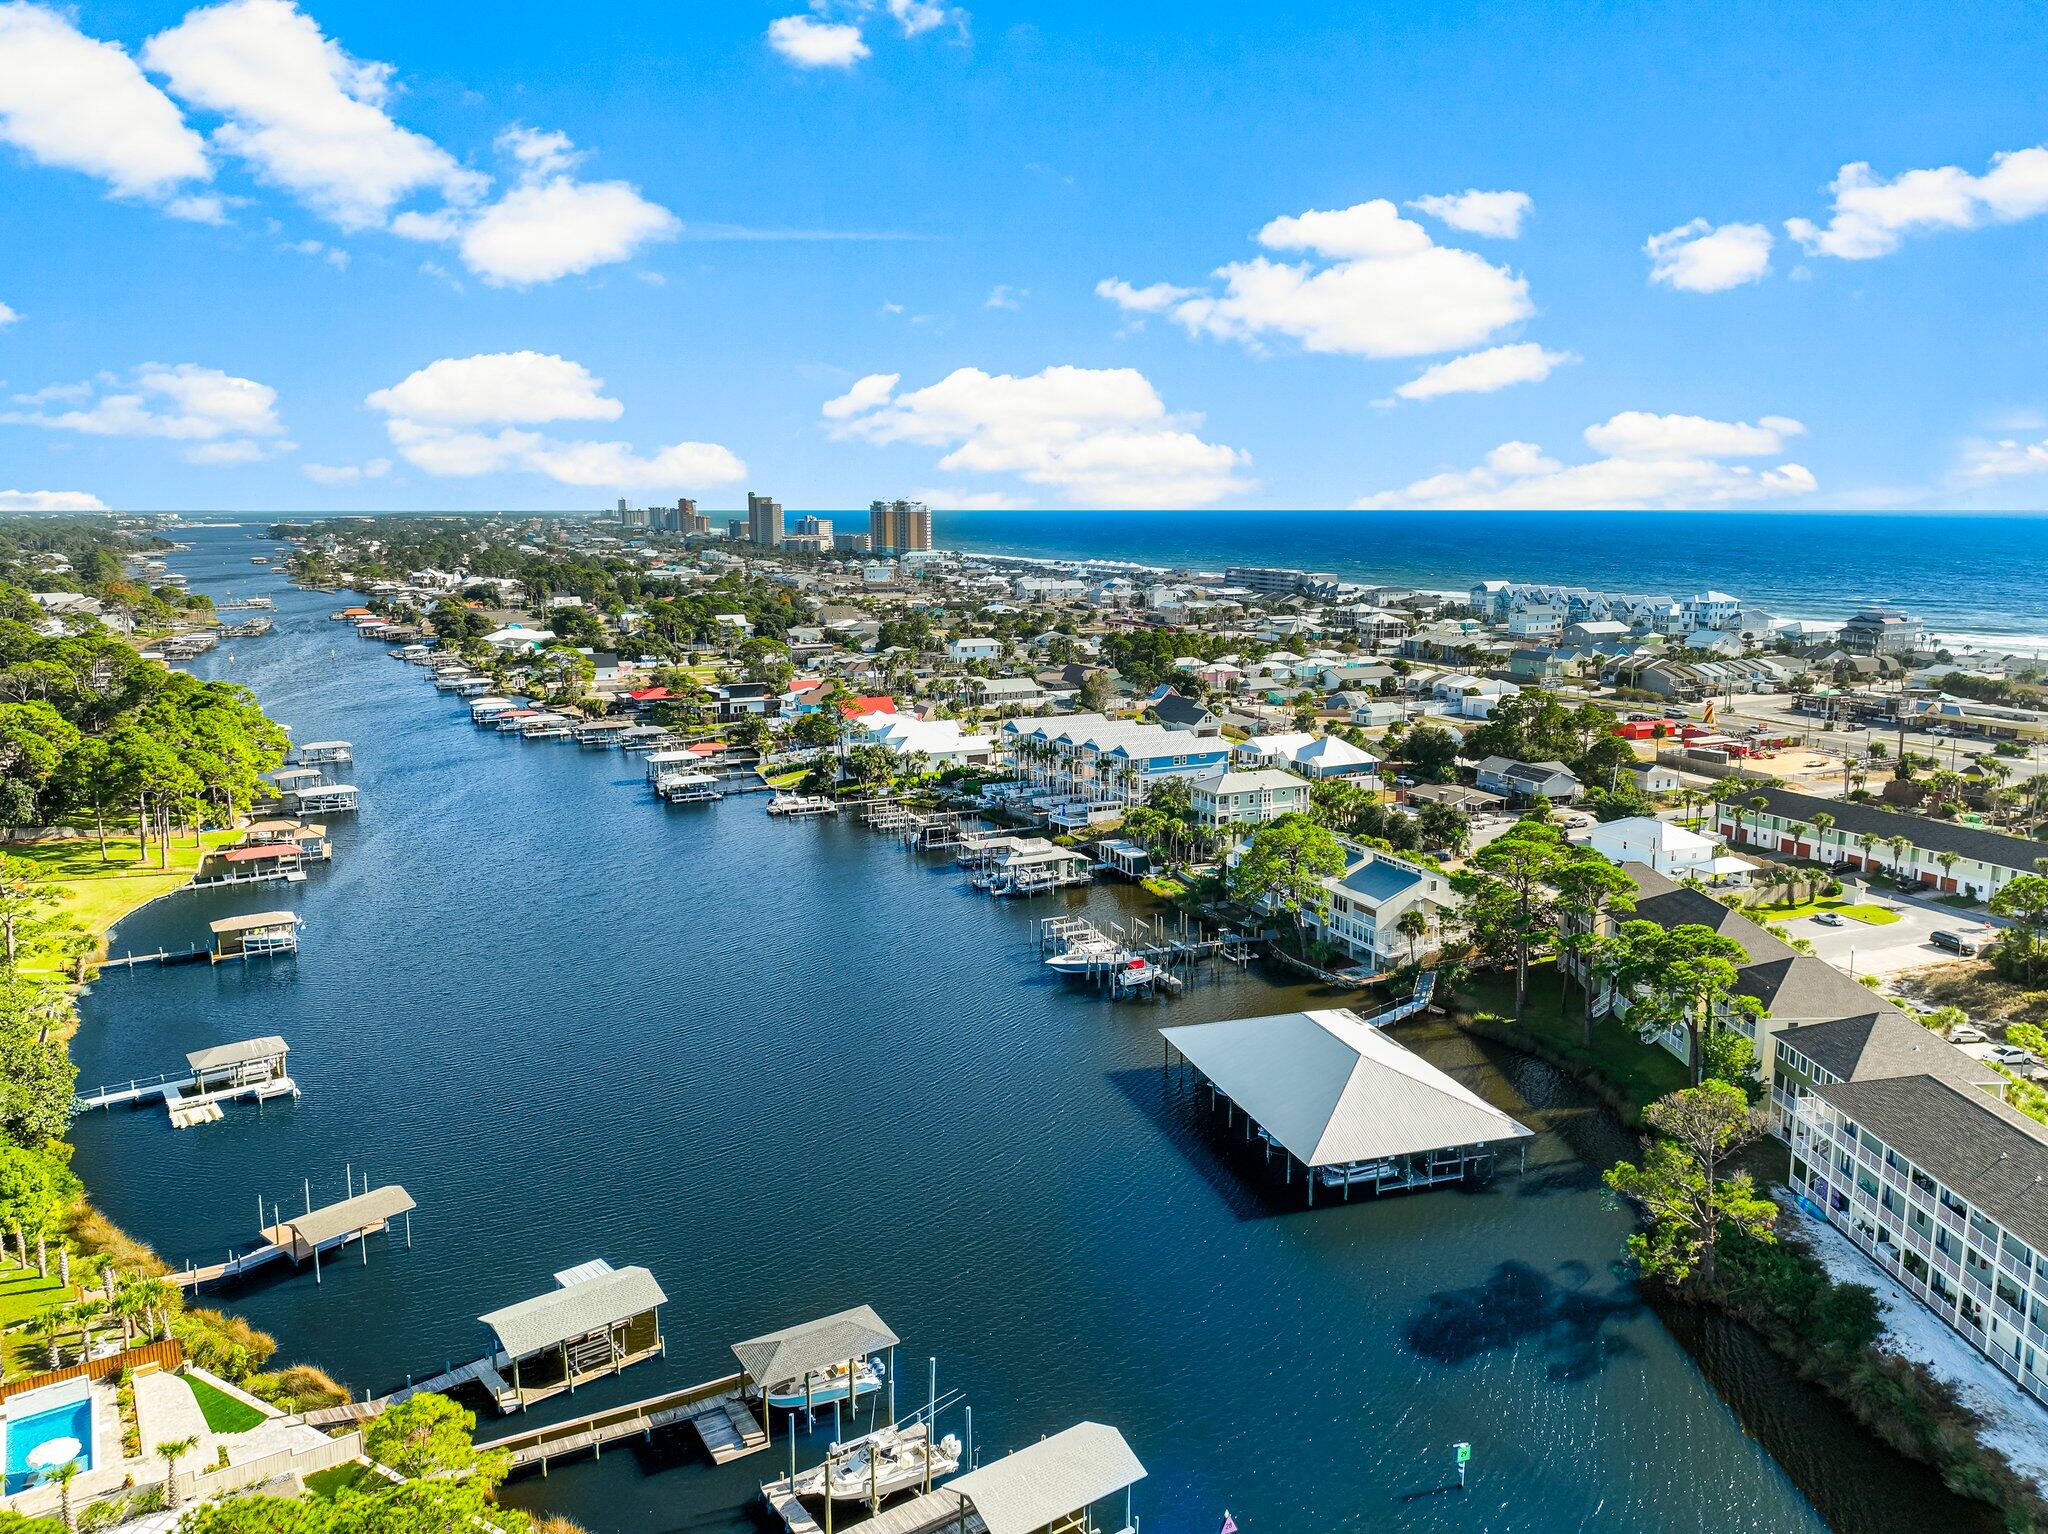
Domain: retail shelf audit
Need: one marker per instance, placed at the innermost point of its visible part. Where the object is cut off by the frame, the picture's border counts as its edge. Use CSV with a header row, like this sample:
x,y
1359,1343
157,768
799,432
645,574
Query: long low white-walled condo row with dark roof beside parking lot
x,y
1943,855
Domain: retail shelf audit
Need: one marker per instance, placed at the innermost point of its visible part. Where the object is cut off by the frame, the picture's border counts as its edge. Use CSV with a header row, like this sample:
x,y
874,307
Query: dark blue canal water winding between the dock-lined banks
x,y
794,1068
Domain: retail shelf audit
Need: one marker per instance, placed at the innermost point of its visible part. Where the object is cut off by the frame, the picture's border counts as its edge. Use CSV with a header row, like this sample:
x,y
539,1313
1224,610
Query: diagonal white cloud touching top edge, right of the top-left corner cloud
x,y
304,114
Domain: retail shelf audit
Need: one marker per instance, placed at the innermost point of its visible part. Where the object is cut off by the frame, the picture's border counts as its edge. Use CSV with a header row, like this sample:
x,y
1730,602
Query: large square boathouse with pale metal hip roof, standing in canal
x,y
1349,1103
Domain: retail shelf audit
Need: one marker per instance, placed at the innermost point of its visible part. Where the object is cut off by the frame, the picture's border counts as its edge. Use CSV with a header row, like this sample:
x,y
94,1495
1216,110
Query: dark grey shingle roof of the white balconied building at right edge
x,y
1990,1154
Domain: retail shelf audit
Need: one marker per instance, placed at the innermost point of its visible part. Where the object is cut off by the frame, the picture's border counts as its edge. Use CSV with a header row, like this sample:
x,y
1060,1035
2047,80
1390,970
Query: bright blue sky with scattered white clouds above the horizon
x,y
468,257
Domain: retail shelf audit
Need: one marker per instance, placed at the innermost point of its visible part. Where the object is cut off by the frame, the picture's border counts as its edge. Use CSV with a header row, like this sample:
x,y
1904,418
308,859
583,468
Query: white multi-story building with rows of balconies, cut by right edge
x,y
1947,1191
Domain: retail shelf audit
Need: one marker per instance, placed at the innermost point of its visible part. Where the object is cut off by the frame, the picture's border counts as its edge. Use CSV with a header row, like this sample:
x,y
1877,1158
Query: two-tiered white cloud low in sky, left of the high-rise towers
x,y
464,417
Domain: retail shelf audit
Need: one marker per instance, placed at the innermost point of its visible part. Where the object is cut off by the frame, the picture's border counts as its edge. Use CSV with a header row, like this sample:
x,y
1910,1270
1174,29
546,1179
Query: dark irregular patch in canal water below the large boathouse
x,y
1560,1314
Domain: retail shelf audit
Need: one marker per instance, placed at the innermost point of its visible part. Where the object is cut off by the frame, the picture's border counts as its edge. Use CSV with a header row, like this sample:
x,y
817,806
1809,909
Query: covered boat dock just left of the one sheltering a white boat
x,y
597,1322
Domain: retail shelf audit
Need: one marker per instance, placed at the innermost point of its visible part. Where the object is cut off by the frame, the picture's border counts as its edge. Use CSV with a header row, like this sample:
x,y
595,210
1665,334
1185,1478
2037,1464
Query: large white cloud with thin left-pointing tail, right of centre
x,y
1388,290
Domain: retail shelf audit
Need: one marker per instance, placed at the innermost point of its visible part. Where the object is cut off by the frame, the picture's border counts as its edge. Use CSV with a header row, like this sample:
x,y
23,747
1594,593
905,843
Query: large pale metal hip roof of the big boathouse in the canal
x,y
1332,1089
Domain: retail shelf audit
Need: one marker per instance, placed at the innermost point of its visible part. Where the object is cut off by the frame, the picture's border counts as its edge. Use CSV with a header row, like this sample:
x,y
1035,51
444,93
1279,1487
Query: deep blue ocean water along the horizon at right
x,y
1961,574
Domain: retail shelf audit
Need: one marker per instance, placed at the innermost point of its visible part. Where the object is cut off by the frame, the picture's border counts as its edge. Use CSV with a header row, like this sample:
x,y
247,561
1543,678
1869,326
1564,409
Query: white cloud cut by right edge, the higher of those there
x,y
1871,216
